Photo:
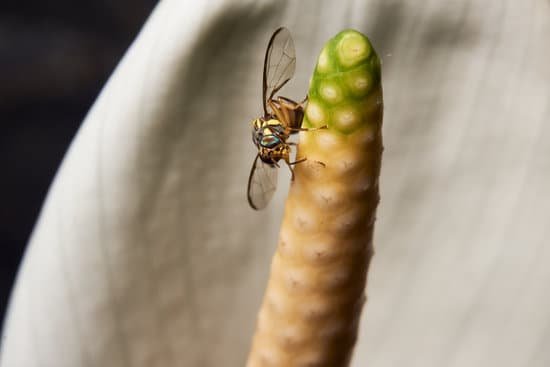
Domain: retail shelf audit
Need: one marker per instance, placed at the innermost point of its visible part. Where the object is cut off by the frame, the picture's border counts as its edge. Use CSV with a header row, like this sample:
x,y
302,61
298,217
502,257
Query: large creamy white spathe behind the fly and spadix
x,y
147,254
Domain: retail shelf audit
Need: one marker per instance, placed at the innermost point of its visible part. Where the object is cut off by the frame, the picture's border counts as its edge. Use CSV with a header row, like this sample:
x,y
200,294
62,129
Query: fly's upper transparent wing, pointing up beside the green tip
x,y
279,63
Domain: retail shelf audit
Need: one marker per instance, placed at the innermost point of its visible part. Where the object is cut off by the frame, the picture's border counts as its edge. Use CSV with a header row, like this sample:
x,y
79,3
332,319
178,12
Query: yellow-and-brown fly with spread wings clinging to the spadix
x,y
282,117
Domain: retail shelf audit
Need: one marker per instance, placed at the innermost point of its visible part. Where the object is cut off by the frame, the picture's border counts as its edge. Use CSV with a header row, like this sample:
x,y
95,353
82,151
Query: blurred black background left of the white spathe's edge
x,y
54,58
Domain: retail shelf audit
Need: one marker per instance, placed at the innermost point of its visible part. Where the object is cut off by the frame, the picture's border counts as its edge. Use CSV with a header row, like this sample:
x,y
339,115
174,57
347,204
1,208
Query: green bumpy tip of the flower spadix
x,y
345,91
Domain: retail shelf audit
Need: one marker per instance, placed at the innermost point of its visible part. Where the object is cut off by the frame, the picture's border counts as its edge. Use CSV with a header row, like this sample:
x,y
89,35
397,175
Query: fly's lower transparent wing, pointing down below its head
x,y
262,183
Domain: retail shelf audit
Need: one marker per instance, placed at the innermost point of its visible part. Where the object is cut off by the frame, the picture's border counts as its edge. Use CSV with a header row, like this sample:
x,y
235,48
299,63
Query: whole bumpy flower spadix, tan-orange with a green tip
x,y
311,308
